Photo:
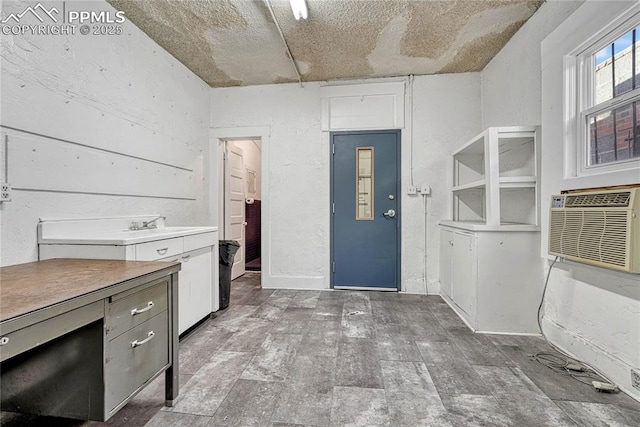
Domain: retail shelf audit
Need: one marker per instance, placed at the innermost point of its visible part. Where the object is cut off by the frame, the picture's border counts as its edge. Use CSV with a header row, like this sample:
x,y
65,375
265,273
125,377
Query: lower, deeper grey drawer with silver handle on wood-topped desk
x,y
128,368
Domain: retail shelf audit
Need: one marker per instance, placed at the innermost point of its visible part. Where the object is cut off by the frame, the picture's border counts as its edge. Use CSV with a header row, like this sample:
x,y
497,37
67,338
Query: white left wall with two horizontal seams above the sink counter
x,y
114,126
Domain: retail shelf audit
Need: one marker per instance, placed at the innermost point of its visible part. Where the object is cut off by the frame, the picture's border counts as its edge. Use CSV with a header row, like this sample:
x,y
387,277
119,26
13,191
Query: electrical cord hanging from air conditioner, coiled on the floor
x,y
564,363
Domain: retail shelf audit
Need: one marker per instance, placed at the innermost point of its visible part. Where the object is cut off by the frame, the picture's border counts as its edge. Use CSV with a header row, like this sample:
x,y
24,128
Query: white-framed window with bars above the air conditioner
x,y
609,99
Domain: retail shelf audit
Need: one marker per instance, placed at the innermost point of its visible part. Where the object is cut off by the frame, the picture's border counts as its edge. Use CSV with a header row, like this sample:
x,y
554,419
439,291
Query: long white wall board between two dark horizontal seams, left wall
x,y
41,163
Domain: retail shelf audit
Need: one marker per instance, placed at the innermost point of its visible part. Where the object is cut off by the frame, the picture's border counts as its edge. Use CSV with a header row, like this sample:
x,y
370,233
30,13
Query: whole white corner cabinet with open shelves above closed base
x,y
490,266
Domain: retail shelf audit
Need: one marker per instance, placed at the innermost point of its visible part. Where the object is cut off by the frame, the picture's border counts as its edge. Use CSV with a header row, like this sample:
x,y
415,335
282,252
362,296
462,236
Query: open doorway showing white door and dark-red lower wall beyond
x,y
241,201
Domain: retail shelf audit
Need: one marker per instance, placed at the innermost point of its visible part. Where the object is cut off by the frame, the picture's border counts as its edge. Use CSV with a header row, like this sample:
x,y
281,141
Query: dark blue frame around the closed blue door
x,y
398,133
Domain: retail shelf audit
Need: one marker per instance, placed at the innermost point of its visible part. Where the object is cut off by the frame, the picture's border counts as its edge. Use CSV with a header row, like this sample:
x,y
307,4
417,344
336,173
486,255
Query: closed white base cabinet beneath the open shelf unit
x,y
492,279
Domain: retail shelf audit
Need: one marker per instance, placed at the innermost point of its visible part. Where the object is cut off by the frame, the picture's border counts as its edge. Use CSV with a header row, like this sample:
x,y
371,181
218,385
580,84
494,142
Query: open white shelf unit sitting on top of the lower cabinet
x,y
496,180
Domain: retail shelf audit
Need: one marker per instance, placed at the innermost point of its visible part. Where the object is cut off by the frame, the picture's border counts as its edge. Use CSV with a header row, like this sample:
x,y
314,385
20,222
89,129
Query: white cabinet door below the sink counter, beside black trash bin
x,y
194,288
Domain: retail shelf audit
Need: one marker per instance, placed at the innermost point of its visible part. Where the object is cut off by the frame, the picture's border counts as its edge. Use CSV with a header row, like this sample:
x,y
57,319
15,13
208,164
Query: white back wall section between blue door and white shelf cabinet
x,y
446,114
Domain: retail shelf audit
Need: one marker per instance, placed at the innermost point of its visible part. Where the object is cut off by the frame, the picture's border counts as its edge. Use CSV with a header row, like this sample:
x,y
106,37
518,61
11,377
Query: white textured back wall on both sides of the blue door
x,y
296,190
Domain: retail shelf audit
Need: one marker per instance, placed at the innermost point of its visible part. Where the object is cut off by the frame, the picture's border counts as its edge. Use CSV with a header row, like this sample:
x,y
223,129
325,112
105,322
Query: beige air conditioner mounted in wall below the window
x,y
600,228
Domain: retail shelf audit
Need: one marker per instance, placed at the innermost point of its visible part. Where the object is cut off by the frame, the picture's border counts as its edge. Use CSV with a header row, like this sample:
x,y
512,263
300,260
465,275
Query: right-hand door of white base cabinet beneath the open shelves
x,y
464,272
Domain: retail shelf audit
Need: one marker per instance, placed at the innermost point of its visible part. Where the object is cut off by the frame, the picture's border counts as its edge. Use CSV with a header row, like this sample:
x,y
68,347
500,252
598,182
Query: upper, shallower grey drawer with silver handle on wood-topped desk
x,y
126,313
